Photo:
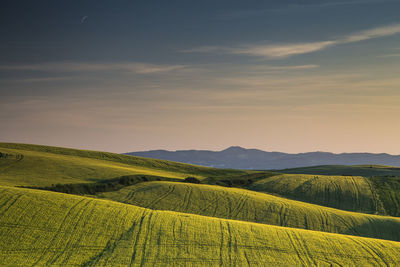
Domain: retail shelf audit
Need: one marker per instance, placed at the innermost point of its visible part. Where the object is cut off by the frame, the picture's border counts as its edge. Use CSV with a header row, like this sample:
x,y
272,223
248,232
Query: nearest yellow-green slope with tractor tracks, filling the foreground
x,y
45,228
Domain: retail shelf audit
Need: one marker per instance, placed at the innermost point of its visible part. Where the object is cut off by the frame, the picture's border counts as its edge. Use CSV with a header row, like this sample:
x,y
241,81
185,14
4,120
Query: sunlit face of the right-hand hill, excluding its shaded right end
x,y
353,193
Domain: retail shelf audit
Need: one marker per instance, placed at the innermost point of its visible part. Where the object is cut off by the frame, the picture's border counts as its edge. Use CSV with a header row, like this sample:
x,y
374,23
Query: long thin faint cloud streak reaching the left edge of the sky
x,y
140,68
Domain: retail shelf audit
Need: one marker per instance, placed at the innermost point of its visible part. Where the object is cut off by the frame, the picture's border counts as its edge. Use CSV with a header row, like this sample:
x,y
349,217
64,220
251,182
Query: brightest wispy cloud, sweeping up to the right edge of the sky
x,y
291,49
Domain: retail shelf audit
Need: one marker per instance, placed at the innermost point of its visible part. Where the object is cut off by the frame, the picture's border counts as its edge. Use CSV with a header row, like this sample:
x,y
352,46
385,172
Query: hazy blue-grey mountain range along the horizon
x,y
240,158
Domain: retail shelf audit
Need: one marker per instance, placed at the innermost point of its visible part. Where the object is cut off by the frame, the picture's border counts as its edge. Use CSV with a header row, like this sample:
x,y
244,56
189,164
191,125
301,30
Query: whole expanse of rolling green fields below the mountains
x,y
130,211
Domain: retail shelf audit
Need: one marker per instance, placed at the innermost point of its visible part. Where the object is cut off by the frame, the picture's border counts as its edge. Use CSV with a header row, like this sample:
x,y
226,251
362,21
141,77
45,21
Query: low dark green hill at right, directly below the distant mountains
x,y
358,170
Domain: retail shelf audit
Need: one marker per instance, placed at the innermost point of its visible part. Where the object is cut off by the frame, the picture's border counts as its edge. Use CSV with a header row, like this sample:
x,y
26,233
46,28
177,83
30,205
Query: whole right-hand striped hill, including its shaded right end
x,y
374,195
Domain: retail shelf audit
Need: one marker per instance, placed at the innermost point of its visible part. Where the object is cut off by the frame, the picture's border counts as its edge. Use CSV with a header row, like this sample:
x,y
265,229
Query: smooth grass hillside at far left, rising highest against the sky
x,y
33,165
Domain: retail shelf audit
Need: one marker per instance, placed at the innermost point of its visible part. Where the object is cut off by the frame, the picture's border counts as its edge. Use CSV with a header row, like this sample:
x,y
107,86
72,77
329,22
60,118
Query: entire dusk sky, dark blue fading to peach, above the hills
x,y
279,75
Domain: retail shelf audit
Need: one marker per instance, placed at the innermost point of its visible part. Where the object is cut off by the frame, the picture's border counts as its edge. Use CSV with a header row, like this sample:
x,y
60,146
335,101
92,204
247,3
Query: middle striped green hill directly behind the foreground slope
x,y
245,205
